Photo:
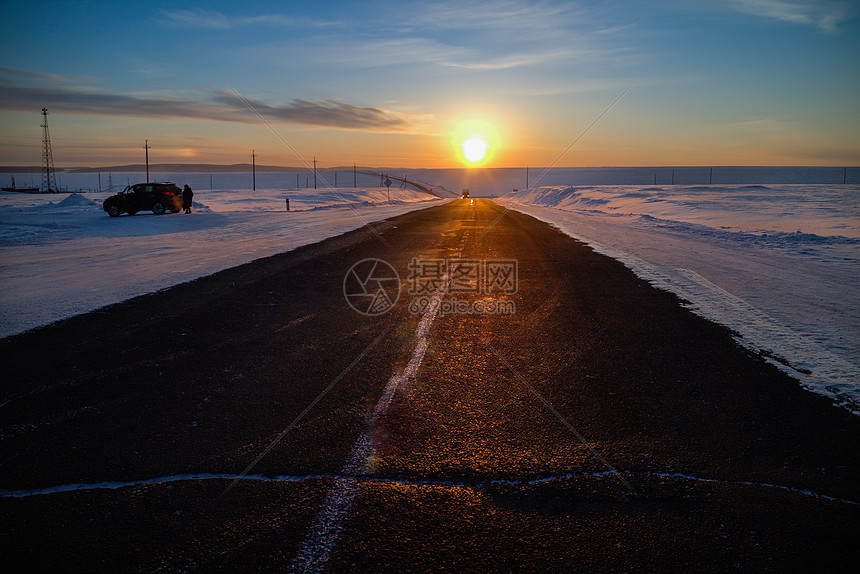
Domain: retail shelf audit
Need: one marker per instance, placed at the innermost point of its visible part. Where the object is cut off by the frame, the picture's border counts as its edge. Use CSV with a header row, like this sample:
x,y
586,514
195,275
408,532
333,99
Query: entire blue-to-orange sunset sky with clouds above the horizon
x,y
404,84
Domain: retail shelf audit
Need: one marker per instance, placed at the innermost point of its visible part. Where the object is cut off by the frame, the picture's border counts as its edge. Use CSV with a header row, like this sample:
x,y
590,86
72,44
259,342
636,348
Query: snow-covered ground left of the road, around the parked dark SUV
x,y
61,255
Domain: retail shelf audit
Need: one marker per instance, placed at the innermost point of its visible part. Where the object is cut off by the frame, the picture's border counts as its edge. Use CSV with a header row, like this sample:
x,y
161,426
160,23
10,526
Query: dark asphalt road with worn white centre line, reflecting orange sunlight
x,y
255,421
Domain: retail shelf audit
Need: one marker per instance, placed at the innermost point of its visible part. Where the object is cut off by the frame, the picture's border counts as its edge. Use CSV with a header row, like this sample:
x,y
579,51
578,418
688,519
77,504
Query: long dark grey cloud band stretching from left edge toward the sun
x,y
222,107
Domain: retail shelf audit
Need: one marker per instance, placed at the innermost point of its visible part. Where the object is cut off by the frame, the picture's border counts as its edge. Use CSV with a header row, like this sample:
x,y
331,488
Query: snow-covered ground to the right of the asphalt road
x,y
778,264
